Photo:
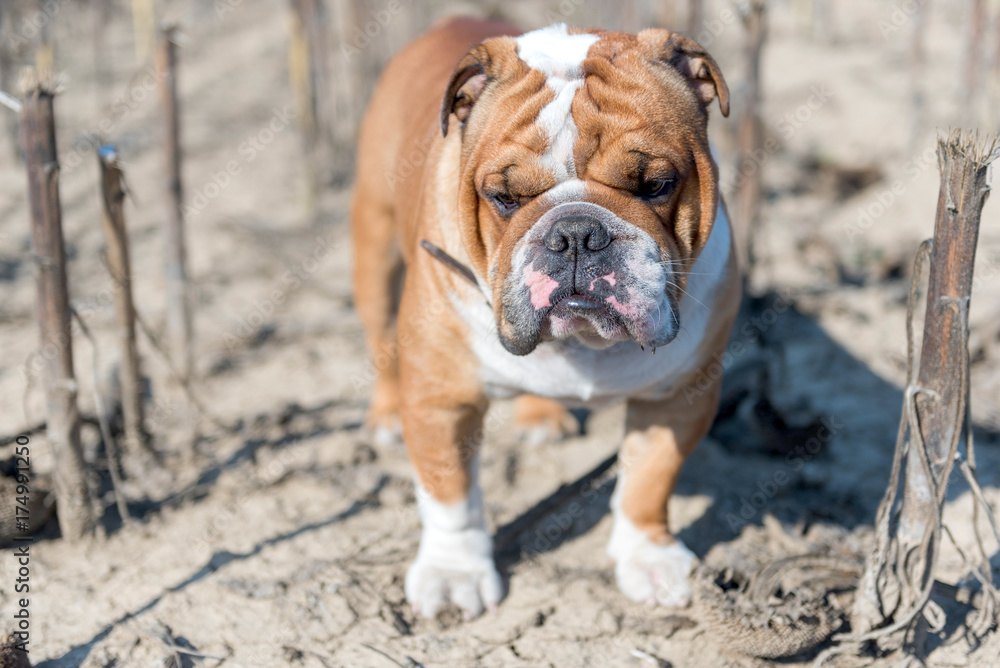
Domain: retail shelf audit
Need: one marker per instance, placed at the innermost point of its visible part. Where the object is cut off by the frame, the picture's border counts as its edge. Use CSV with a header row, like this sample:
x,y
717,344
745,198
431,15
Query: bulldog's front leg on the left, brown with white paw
x,y
443,408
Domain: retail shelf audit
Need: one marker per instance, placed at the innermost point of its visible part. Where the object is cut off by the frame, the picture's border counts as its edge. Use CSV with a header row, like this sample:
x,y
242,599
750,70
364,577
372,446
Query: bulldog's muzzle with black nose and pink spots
x,y
583,271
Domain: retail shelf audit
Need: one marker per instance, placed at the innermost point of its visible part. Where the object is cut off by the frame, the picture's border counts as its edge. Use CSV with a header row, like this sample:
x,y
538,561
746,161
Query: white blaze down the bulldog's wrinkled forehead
x,y
559,56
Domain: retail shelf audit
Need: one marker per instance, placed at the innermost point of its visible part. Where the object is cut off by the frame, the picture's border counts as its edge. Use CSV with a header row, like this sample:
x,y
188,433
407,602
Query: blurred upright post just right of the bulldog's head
x,y
750,165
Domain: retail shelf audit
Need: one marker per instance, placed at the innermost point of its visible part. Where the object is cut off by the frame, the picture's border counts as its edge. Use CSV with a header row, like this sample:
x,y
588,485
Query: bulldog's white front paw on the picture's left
x,y
468,580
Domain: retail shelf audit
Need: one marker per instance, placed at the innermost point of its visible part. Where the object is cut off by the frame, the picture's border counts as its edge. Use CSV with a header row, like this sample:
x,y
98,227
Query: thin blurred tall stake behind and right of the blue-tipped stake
x,y
179,323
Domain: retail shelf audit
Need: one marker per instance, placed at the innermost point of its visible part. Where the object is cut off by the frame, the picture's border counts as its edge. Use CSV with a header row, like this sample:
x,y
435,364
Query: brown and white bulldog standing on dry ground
x,y
568,174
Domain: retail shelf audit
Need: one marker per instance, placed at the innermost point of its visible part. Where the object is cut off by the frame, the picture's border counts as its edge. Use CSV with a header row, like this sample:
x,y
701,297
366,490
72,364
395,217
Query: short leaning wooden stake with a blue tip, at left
x,y
119,264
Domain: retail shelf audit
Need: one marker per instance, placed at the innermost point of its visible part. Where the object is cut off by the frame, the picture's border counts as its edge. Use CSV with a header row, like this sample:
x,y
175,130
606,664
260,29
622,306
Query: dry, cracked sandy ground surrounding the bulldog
x,y
284,541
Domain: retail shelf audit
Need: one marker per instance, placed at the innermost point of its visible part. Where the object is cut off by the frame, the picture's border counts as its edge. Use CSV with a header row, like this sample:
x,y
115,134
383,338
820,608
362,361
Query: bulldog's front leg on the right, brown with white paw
x,y
651,565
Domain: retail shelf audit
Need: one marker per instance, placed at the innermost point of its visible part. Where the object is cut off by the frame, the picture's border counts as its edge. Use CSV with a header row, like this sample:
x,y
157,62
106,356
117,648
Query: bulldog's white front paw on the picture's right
x,y
657,575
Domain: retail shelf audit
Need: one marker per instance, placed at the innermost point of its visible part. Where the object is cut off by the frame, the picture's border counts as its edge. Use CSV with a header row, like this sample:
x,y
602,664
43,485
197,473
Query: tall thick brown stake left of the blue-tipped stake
x,y
73,499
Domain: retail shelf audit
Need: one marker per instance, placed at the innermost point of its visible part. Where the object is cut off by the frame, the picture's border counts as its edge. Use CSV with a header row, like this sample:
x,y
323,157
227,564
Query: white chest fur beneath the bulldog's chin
x,y
572,372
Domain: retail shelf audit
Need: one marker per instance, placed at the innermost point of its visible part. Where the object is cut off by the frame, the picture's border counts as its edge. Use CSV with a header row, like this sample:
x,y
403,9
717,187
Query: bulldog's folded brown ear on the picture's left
x,y
477,69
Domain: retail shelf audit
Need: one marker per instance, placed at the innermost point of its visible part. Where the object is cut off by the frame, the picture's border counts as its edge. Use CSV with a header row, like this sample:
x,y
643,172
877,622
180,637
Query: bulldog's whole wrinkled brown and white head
x,y
588,188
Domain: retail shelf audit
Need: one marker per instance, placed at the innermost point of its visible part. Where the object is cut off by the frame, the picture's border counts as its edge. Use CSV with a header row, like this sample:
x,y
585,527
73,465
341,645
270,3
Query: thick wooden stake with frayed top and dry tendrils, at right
x,y
899,573
